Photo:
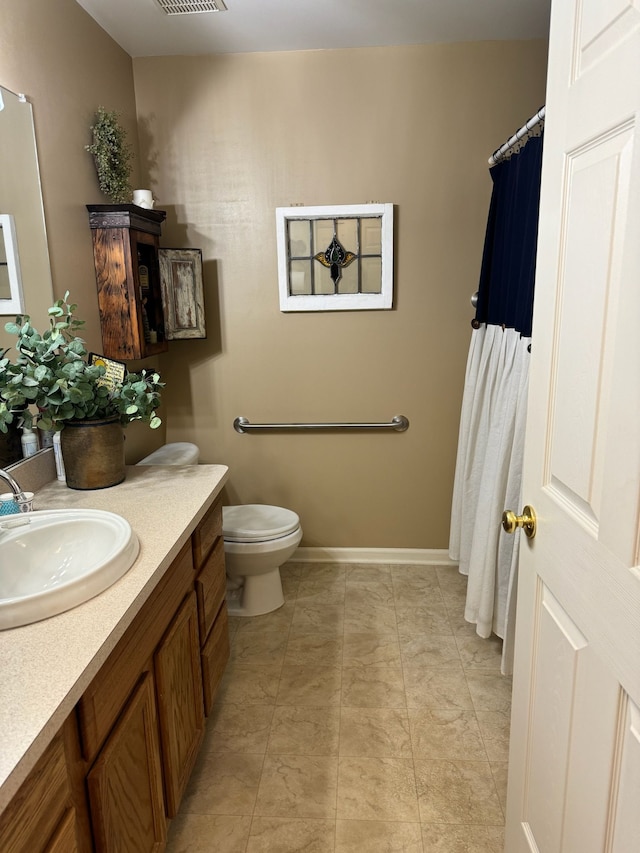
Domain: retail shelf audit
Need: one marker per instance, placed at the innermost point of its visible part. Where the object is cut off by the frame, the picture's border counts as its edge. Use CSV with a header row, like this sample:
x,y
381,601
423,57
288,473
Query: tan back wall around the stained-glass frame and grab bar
x,y
225,141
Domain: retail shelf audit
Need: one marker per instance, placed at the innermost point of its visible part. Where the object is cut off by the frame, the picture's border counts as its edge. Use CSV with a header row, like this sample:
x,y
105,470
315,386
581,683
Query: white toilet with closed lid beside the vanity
x,y
258,539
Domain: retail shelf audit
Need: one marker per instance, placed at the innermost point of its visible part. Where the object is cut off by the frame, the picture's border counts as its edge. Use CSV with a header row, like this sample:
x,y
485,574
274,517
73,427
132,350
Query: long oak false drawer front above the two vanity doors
x,y
101,703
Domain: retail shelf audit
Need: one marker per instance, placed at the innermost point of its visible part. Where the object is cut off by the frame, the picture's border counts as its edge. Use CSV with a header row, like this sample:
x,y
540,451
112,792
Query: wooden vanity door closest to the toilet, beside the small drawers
x,y
180,706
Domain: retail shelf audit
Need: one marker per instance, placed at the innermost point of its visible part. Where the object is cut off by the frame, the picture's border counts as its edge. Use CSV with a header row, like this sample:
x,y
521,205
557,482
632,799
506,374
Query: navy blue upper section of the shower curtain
x,y
505,293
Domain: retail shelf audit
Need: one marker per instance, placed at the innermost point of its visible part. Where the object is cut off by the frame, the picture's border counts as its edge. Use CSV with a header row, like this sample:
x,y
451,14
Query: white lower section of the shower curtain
x,y
488,479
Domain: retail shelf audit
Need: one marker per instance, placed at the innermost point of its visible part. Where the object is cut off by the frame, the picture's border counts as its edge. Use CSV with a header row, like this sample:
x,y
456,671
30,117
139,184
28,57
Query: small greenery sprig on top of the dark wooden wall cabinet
x,y
112,155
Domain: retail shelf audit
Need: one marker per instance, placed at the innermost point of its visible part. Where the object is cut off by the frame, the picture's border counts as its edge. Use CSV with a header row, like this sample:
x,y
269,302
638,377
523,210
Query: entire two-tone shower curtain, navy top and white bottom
x,y
491,438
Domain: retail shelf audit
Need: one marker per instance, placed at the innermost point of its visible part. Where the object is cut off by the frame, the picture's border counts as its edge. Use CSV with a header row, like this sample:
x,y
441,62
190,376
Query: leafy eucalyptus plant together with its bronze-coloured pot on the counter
x,y
52,377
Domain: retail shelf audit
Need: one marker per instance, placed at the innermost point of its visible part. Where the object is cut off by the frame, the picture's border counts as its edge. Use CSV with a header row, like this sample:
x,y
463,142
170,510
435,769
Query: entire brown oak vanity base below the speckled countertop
x,y
113,777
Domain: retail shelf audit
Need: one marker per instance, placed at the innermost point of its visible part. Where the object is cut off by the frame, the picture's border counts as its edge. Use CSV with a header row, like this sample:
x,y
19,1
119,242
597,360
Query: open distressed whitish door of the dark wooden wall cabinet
x,y
182,293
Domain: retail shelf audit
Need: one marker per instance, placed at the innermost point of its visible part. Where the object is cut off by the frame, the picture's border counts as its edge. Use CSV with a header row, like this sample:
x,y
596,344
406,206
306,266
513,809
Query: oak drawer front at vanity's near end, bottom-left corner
x,y
34,813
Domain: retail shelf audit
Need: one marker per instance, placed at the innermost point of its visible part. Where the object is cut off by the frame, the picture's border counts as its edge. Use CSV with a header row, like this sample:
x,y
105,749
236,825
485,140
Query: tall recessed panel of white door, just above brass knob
x,y
595,207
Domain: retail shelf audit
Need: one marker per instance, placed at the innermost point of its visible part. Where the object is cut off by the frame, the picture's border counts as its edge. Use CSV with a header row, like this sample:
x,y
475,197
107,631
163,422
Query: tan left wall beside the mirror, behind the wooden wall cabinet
x,y
67,66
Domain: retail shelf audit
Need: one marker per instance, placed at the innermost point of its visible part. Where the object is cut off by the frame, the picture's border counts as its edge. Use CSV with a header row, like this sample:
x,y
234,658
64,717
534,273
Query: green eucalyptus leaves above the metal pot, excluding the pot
x,y
51,374
